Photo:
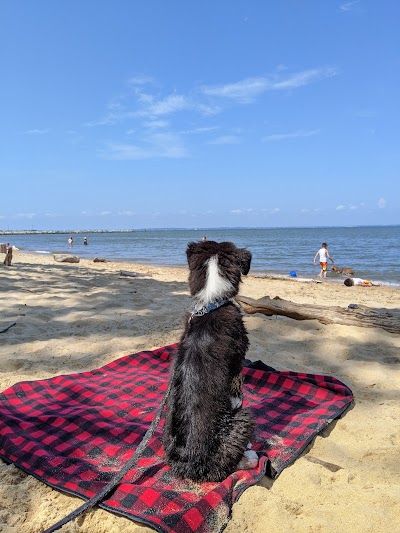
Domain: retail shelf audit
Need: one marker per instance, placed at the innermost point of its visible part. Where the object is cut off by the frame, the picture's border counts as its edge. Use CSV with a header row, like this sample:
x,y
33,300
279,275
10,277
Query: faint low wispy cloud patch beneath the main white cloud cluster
x,y
156,146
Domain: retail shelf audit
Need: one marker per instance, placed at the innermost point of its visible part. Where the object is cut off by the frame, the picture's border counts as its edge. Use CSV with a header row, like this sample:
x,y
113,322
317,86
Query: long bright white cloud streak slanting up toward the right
x,y
245,91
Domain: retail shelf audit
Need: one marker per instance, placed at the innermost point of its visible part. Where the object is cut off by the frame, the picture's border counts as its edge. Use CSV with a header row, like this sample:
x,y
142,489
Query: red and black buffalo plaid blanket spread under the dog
x,y
74,432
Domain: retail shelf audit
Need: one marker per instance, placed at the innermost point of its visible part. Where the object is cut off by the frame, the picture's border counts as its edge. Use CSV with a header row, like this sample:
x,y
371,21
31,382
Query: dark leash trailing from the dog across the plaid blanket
x,y
117,478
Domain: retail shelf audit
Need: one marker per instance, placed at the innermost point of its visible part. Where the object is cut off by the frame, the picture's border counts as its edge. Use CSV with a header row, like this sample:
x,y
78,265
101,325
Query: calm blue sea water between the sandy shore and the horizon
x,y
372,251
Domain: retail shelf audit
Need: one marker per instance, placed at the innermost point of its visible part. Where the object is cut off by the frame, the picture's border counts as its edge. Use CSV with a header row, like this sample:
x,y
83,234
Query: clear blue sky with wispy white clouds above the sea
x,y
164,113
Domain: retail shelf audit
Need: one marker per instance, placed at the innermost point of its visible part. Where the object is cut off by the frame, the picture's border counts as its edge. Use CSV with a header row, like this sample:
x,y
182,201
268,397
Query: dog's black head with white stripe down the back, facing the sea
x,y
215,269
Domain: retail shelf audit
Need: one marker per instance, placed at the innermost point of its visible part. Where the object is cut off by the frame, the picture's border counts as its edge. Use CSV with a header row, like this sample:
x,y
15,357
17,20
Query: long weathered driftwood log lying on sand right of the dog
x,y
354,315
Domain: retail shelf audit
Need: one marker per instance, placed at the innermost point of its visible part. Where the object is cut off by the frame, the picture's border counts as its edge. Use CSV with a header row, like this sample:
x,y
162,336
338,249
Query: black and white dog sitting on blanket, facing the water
x,y
207,434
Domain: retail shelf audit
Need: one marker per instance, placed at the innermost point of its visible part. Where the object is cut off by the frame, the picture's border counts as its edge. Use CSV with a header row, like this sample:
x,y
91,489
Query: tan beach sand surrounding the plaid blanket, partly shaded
x,y
76,317
